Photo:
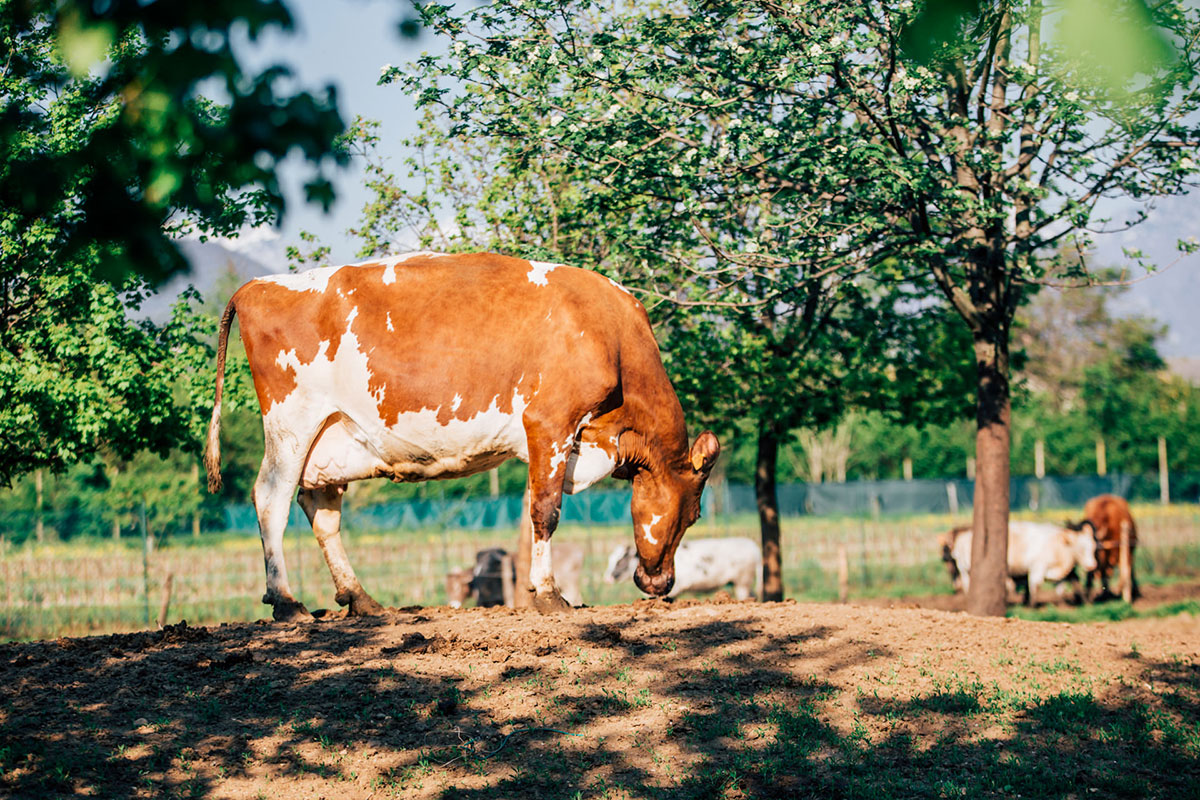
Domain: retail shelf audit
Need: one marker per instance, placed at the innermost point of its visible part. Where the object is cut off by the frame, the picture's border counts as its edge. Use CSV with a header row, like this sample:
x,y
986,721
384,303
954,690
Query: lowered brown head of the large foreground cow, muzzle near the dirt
x,y
667,503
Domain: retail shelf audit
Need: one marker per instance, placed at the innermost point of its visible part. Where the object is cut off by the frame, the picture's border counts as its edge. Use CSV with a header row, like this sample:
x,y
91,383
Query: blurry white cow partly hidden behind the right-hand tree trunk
x,y
1037,552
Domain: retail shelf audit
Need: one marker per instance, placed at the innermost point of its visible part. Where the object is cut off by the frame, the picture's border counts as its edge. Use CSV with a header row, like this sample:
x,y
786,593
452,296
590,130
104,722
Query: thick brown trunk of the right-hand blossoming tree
x,y
989,546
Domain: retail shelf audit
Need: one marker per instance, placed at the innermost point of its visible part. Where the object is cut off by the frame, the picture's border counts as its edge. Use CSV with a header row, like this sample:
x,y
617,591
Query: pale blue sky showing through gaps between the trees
x,y
349,43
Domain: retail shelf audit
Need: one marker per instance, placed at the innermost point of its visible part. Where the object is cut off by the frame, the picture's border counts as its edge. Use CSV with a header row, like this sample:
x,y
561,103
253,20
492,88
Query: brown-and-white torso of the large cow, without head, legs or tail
x,y
425,366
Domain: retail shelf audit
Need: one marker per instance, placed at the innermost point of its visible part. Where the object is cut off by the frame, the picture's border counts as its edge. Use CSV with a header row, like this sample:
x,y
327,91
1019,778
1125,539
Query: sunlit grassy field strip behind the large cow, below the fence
x,y
104,587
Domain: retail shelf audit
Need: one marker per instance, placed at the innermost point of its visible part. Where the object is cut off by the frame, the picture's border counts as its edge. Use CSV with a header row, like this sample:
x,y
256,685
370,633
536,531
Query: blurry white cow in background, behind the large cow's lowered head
x,y
701,566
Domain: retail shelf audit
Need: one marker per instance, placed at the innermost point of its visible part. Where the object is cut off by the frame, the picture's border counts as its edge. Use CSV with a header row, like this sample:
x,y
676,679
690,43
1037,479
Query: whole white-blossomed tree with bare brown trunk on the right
x,y
758,148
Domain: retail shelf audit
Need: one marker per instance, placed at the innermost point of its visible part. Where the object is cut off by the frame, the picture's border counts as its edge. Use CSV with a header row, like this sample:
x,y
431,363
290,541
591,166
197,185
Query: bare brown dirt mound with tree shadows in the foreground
x,y
653,700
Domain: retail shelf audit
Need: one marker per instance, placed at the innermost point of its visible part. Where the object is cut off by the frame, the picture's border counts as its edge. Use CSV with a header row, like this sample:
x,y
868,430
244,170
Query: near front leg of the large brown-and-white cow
x,y
548,468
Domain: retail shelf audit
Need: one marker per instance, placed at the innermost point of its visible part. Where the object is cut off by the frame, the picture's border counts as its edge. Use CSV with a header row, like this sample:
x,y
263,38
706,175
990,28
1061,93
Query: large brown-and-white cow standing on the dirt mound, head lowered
x,y
433,366
